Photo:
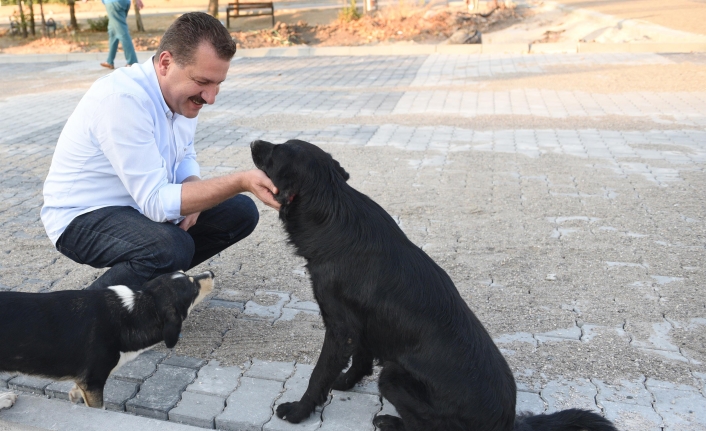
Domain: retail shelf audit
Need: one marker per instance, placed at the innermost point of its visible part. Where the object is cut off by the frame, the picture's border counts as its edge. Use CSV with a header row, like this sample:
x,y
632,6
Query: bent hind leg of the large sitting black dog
x,y
411,399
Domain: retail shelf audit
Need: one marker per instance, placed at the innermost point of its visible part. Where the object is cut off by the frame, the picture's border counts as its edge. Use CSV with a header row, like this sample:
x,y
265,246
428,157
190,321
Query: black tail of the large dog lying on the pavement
x,y
566,420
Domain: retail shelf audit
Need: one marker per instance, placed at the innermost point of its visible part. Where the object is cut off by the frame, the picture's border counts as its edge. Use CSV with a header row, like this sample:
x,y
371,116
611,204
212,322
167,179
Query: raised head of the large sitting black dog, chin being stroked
x,y
296,167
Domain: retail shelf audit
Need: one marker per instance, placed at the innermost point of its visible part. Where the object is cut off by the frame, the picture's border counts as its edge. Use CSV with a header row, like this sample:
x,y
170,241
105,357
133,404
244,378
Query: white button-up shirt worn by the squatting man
x,y
122,146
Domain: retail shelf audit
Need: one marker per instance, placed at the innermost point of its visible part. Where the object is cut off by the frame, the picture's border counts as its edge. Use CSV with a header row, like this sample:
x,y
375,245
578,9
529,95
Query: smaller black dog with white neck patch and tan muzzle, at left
x,y
85,335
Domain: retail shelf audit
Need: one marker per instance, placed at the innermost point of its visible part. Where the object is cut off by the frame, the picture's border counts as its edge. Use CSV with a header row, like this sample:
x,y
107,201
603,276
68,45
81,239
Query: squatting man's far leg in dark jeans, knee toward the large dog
x,y
222,226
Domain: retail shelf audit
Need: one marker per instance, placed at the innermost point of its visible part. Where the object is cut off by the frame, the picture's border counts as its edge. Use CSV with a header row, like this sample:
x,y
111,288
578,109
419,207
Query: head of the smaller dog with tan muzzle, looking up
x,y
175,295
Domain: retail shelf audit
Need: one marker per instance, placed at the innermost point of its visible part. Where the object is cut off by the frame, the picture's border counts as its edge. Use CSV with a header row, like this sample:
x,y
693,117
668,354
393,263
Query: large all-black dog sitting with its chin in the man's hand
x,y
382,297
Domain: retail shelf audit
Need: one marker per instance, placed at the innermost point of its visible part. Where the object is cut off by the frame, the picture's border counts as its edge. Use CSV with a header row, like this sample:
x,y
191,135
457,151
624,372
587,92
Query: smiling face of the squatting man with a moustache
x,y
187,88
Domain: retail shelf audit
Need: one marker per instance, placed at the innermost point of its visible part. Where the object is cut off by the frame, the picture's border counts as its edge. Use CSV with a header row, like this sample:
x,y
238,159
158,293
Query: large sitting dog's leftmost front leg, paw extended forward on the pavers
x,y
334,356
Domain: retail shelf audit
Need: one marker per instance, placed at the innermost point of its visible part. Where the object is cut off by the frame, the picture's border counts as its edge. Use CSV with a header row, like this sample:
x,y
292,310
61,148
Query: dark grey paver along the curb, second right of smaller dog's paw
x,y
161,392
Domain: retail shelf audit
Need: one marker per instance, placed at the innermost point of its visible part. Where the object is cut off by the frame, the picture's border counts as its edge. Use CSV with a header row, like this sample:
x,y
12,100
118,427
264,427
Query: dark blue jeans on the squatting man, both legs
x,y
138,249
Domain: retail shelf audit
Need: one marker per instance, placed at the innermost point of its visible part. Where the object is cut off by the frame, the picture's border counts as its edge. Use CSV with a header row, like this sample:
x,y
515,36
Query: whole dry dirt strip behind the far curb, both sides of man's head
x,y
403,22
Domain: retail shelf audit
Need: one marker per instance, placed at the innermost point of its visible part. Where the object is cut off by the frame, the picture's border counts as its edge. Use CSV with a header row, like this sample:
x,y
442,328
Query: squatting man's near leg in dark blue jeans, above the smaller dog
x,y
136,248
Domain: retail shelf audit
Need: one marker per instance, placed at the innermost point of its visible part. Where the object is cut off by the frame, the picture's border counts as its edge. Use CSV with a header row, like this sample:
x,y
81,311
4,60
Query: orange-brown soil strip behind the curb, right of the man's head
x,y
388,25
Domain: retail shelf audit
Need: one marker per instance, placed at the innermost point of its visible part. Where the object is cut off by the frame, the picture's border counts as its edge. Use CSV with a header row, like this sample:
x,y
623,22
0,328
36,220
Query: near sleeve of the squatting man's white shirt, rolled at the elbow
x,y
124,130
